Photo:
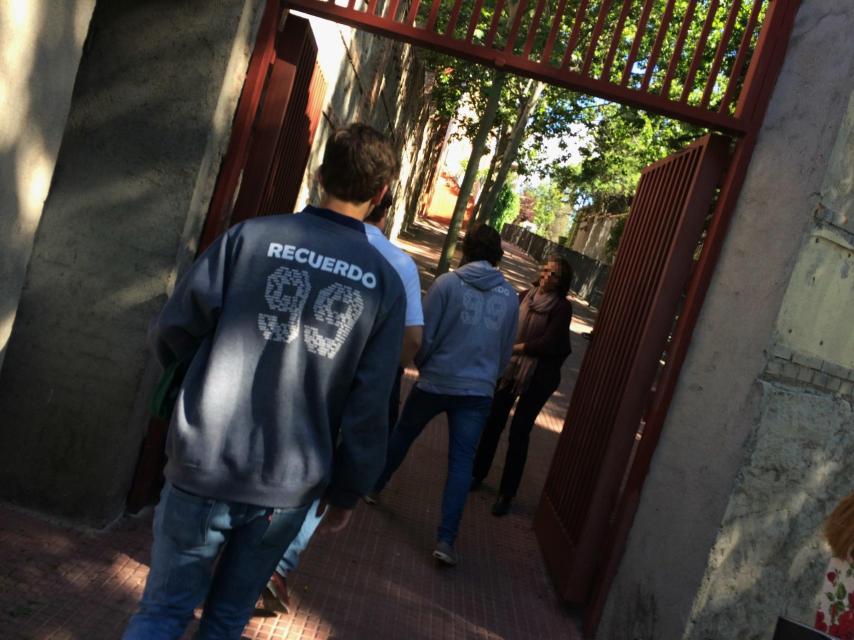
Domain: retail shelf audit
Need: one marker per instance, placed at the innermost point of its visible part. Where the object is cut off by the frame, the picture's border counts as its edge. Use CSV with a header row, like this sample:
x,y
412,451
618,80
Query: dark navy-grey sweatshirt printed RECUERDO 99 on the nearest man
x,y
296,323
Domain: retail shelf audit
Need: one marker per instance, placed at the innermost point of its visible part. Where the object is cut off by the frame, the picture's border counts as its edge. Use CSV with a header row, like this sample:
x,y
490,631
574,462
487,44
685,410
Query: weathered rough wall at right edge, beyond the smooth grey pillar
x,y
768,551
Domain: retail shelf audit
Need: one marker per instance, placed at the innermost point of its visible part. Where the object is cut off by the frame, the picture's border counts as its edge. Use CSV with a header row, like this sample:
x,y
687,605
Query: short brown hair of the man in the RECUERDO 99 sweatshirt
x,y
357,163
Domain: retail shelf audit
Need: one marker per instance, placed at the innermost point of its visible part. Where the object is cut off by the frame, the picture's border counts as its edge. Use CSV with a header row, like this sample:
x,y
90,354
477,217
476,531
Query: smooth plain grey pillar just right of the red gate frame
x,y
706,438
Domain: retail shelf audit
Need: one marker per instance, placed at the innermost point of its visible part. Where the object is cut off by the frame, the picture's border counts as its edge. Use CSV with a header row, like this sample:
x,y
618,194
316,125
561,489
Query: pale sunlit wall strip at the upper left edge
x,y
40,47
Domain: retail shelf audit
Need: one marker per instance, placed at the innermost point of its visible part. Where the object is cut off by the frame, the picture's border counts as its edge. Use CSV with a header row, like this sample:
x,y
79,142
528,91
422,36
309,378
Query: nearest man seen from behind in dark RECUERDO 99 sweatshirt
x,y
293,327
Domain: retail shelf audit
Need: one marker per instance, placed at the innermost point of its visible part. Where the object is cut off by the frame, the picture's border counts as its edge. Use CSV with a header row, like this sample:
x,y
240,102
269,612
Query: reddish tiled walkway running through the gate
x,y
375,580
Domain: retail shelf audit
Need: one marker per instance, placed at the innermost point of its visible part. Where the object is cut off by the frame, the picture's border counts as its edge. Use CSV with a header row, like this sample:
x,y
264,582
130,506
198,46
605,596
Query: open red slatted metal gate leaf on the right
x,y
615,383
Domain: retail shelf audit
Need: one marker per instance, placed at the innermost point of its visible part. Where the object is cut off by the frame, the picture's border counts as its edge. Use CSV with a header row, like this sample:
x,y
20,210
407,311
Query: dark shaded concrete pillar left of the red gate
x,y
149,121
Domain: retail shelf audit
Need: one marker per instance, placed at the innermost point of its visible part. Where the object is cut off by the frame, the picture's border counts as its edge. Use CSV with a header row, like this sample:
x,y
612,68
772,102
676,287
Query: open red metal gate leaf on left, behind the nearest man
x,y
274,126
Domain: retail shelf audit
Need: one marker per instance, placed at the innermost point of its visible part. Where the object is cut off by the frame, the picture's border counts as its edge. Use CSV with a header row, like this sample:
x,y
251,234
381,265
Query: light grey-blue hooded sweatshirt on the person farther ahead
x,y
470,319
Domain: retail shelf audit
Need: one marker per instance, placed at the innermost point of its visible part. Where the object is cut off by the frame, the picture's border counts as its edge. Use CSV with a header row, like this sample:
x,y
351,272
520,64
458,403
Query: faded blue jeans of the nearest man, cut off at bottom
x,y
204,549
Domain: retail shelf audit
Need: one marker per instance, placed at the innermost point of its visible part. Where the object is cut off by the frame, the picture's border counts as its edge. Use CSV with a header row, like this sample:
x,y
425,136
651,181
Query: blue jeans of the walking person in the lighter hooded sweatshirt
x,y
466,417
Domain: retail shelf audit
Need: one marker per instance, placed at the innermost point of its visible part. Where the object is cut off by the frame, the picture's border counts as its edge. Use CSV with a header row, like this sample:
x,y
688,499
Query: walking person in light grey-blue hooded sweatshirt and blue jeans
x,y
470,318
